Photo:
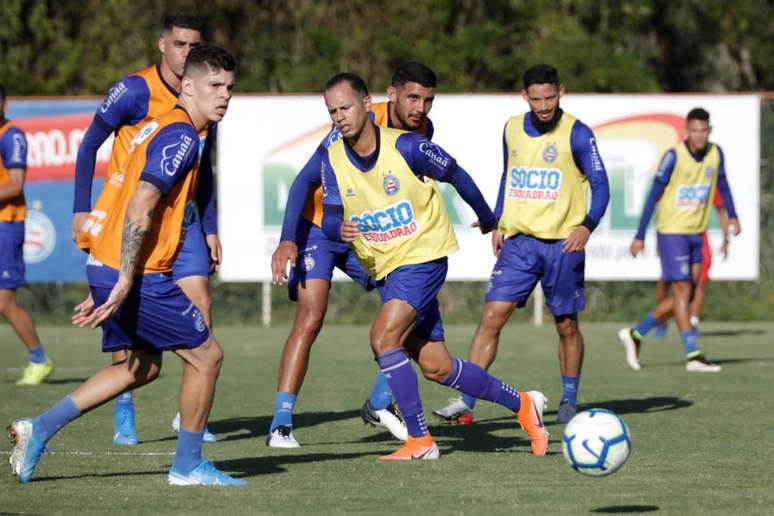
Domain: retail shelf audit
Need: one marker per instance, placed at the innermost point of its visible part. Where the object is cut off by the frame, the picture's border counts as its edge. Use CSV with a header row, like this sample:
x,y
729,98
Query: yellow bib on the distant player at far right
x,y
684,207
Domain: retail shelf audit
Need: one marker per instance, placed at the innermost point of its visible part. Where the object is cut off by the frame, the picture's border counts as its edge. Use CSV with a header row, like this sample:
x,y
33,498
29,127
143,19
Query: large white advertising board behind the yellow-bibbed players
x,y
265,140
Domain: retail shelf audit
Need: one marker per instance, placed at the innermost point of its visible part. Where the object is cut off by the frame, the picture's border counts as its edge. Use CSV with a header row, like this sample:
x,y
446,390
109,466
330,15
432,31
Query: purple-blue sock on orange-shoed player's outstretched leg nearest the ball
x,y
472,380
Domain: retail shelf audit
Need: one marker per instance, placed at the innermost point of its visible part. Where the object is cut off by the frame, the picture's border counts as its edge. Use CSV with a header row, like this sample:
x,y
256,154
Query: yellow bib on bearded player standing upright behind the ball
x,y
545,193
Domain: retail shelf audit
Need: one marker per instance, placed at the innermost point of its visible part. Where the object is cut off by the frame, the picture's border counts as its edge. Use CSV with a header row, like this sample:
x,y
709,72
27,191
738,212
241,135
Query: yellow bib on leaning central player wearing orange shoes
x,y
402,219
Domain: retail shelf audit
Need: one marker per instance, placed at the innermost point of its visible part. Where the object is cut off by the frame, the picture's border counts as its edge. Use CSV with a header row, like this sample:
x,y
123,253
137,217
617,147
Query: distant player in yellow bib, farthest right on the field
x,y
686,181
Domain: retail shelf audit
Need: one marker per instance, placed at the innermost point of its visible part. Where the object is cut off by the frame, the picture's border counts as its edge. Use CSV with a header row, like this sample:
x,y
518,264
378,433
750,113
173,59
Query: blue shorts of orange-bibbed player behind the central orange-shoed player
x,y
317,256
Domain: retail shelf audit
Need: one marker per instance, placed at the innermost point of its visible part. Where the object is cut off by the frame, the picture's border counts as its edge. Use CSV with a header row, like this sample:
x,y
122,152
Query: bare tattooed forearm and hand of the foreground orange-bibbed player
x,y
137,226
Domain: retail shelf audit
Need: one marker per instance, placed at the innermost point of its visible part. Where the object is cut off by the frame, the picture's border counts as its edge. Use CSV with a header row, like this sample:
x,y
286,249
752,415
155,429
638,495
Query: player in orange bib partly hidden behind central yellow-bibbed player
x,y
411,97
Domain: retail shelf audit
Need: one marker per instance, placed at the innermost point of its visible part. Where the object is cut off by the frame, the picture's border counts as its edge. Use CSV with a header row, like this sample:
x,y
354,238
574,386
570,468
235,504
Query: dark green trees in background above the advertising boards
x,y
48,47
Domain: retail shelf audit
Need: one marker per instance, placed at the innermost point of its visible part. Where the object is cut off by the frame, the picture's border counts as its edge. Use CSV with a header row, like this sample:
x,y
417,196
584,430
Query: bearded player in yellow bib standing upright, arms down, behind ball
x,y
550,159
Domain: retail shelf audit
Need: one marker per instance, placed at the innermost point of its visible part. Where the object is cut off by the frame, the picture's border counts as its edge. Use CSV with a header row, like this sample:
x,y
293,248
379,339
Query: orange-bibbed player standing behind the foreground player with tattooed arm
x,y
129,105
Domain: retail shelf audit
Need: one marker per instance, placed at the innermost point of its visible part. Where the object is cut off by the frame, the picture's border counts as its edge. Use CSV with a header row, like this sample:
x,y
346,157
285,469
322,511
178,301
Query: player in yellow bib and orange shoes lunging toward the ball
x,y
380,196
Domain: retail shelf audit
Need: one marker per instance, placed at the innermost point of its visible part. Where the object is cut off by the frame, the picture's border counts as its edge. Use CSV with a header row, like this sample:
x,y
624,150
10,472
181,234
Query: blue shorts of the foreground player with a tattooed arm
x,y
156,316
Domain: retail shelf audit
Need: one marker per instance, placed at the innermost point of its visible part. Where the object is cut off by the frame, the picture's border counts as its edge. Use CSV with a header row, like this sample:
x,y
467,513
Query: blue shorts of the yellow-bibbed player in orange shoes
x,y
419,285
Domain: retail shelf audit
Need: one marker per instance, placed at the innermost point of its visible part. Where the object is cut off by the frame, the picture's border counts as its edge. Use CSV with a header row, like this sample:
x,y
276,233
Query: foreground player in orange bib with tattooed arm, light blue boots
x,y
133,245
